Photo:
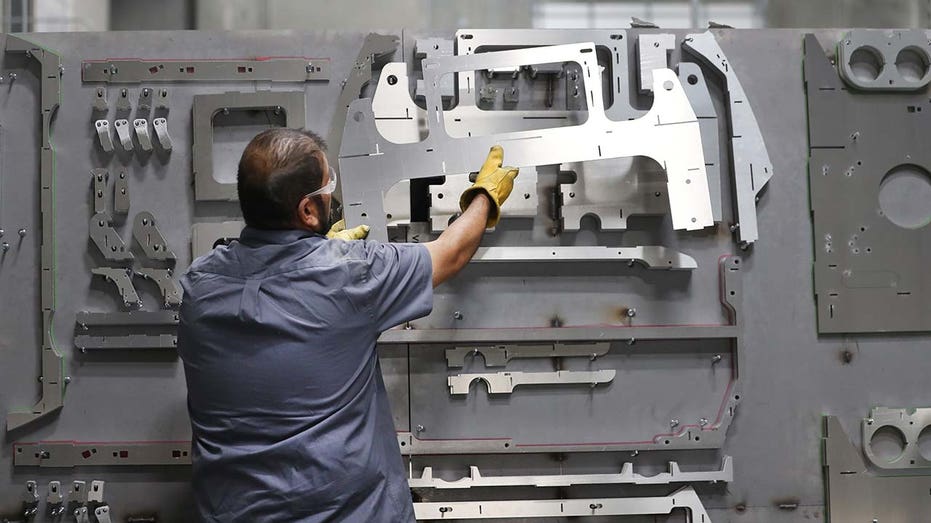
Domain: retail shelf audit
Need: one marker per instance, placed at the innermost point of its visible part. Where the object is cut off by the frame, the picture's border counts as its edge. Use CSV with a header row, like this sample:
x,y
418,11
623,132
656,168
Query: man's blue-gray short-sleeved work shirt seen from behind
x,y
289,413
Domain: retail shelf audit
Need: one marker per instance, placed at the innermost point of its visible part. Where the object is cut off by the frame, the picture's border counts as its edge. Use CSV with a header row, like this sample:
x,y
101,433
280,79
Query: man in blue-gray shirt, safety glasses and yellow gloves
x,y
289,413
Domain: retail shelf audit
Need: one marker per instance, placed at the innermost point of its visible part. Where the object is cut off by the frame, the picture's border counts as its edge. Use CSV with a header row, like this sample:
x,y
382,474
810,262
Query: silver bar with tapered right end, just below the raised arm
x,y
653,257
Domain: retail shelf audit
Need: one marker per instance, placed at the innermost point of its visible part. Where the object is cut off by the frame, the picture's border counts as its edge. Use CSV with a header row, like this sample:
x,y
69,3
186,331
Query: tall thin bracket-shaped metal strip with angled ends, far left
x,y
52,372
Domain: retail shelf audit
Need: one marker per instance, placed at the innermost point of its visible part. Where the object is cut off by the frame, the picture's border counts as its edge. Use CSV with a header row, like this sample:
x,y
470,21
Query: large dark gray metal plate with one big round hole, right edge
x,y
870,273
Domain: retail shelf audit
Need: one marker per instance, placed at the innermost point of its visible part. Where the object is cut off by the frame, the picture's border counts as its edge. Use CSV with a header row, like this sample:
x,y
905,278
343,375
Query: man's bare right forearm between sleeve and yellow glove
x,y
458,243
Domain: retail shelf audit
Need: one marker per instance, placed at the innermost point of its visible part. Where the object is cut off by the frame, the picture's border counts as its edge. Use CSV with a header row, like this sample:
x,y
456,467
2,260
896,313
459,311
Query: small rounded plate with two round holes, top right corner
x,y
885,45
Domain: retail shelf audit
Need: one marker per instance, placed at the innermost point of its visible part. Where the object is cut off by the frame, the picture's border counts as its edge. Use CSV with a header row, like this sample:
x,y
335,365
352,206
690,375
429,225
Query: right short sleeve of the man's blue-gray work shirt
x,y
401,282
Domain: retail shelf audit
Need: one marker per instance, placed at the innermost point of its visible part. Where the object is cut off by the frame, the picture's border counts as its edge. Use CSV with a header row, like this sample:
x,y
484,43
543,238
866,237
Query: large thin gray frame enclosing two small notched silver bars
x,y
686,436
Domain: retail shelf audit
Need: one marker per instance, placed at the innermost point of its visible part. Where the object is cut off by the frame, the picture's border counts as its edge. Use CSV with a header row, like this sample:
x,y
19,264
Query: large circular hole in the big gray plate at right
x,y
905,196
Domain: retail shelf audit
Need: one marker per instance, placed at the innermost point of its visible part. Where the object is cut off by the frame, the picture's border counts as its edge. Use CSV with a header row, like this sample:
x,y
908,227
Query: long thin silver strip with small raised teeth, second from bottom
x,y
627,476
